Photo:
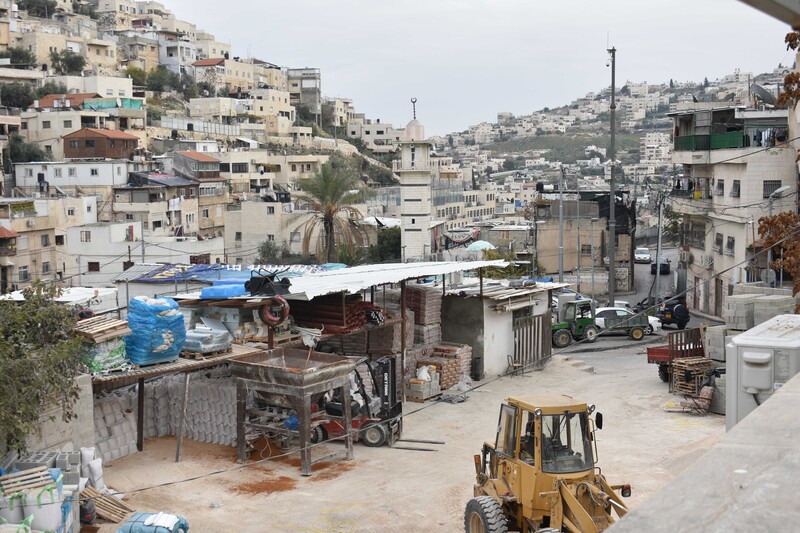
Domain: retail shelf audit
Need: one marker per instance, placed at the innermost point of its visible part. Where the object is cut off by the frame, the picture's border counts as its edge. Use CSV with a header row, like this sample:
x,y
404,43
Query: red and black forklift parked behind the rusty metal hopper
x,y
378,421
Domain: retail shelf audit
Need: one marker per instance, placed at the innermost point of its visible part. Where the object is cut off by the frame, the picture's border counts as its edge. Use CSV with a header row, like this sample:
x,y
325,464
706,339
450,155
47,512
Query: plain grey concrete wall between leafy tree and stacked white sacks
x,y
52,433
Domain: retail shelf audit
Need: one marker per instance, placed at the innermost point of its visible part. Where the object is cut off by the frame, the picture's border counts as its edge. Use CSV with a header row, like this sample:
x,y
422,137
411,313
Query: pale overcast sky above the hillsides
x,y
465,60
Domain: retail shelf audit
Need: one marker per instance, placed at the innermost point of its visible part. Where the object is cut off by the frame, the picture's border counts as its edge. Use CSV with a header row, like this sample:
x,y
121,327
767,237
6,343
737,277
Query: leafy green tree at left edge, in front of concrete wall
x,y
38,361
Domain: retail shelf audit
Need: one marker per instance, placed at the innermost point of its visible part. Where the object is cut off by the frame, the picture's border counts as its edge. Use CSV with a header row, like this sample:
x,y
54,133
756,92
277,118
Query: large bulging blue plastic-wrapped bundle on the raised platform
x,y
158,330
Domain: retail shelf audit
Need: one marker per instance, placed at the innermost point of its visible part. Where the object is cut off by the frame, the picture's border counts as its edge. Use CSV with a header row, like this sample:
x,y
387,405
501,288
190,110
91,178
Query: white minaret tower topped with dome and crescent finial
x,y
414,169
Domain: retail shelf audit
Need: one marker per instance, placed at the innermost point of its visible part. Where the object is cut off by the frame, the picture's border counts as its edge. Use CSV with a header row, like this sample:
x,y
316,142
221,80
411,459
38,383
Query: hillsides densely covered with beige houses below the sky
x,y
132,135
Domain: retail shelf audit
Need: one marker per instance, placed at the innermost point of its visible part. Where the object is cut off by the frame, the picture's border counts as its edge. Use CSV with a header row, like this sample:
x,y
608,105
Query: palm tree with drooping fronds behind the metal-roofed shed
x,y
331,193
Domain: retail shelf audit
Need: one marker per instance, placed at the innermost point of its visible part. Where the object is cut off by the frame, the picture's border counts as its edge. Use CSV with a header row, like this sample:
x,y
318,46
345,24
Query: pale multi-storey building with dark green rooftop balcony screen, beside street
x,y
733,161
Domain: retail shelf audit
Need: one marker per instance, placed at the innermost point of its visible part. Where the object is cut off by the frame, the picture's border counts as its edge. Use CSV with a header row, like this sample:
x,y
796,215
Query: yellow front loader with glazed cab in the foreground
x,y
540,473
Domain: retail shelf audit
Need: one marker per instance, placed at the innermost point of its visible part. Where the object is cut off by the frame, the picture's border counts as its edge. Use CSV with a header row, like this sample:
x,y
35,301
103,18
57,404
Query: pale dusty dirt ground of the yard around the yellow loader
x,y
385,489
